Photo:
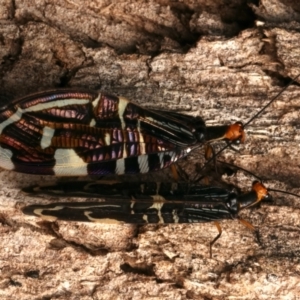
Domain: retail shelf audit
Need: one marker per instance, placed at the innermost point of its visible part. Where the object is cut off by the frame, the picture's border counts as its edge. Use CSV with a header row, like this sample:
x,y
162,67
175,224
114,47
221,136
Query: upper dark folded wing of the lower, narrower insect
x,y
128,190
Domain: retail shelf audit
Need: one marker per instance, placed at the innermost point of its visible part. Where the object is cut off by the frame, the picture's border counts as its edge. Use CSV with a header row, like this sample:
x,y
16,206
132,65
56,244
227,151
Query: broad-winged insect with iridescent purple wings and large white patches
x,y
76,132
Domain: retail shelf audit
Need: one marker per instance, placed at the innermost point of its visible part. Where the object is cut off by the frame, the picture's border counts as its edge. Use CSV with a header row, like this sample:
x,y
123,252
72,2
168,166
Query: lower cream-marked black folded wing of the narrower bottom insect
x,y
132,212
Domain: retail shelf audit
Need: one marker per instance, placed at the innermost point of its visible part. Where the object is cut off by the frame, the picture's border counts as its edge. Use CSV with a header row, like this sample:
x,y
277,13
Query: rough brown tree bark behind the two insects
x,y
222,60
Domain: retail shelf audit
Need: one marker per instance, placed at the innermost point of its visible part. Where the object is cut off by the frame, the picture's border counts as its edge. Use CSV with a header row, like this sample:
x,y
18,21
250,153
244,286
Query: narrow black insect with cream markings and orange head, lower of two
x,y
142,203
